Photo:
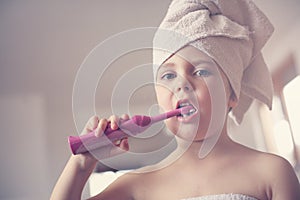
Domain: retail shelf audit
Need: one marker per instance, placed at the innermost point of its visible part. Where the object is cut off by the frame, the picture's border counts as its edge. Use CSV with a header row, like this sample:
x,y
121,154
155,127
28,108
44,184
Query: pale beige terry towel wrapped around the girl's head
x,y
231,32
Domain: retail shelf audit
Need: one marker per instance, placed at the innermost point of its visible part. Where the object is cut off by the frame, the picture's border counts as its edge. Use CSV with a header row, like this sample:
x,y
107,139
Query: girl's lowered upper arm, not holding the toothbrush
x,y
284,182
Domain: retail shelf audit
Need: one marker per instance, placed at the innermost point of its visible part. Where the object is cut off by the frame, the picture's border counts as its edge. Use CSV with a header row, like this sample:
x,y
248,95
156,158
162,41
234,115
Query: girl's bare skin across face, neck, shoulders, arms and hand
x,y
228,168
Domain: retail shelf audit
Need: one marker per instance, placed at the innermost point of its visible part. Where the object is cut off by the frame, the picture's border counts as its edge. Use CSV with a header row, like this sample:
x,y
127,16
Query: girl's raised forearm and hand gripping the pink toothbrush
x,y
79,167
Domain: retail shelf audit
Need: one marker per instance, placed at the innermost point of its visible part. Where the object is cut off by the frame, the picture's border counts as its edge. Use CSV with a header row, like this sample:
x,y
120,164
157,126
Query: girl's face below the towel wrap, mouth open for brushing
x,y
197,82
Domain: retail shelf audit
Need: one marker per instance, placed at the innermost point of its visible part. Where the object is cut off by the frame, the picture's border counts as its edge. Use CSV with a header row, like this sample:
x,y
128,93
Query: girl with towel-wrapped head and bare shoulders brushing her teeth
x,y
216,62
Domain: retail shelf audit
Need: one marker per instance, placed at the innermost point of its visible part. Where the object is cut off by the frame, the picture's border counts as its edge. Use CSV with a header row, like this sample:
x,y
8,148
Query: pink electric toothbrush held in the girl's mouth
x,y
137,124
